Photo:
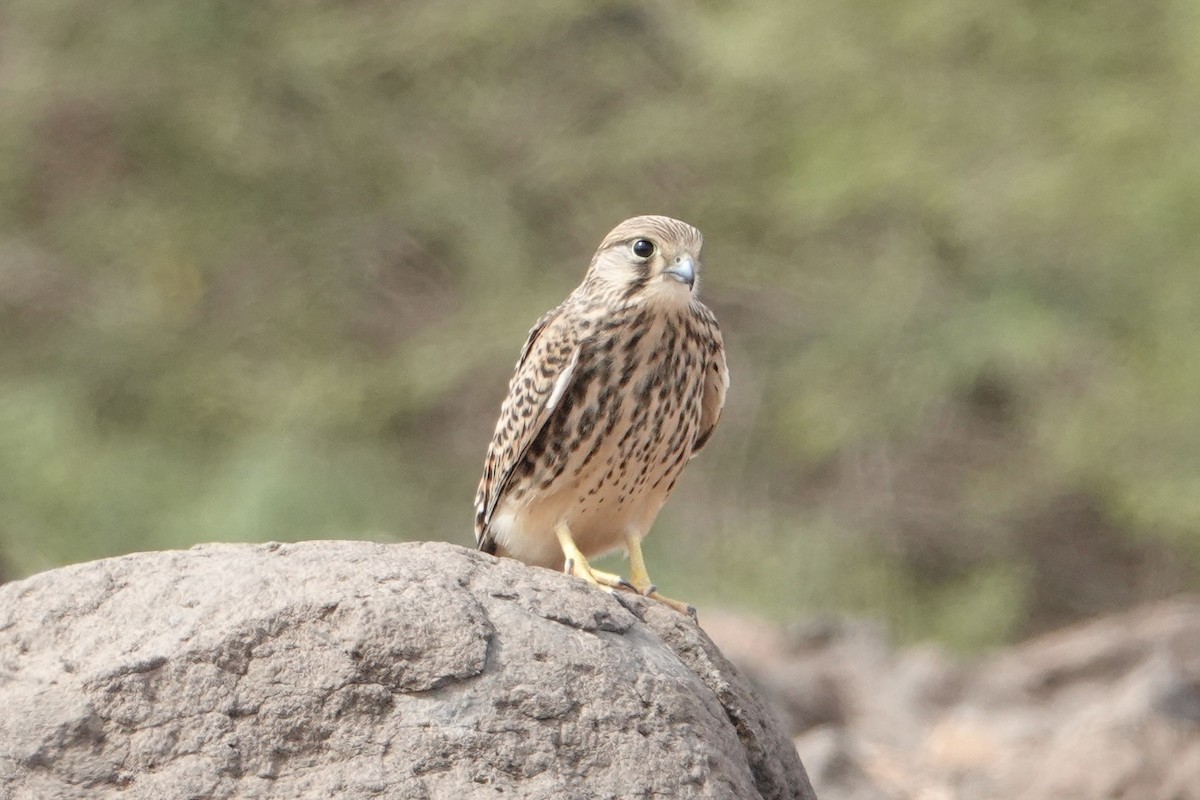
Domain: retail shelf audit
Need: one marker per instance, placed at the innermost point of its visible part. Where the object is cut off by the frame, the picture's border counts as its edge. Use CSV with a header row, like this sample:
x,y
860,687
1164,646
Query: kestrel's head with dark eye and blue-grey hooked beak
x,y
653,257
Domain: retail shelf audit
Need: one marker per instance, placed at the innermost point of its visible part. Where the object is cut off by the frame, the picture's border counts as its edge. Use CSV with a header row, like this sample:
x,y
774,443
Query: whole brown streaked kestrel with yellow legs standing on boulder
x,y
614,393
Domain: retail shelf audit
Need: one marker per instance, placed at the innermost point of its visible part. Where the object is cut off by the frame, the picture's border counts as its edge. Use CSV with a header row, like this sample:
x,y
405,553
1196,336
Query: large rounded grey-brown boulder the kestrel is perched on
x,y
355,670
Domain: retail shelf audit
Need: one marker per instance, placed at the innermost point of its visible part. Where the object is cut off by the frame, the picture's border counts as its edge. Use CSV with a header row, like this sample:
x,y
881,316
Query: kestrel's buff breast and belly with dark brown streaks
x,y
621,435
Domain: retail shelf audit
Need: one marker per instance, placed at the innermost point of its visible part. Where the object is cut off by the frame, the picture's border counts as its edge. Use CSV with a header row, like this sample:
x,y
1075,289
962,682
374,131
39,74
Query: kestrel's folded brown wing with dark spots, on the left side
x,y
543,375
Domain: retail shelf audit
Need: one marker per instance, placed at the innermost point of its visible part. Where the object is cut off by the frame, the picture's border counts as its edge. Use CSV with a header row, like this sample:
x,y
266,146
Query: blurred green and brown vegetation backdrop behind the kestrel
x,y
266,268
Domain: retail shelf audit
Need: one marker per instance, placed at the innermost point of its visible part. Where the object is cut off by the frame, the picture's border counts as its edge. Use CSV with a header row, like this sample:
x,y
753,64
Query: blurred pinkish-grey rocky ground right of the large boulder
x,y
1103,709
